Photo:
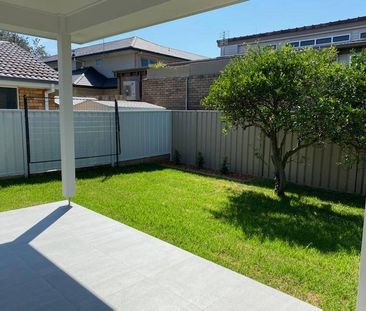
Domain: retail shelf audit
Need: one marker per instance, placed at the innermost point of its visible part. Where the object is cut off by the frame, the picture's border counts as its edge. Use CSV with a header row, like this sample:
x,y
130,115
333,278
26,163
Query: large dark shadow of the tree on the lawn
x,y
292,220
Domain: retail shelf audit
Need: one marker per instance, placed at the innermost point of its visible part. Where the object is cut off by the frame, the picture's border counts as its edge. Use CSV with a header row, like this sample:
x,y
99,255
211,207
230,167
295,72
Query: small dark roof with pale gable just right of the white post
x,y
89,77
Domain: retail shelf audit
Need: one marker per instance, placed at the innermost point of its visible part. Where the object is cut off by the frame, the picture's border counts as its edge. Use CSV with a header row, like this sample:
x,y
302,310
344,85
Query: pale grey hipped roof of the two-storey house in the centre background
x,y
130,43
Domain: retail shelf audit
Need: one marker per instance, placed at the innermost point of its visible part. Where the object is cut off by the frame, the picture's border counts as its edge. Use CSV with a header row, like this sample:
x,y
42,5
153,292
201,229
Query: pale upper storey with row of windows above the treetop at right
x,y
347,36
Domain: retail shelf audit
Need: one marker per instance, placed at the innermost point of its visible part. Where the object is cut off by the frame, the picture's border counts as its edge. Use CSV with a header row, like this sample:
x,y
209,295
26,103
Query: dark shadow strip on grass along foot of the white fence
x,y
87,173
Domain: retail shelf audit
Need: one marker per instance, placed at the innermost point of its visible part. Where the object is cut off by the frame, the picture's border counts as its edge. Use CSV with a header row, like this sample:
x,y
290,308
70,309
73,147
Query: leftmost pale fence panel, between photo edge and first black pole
x,y
11,143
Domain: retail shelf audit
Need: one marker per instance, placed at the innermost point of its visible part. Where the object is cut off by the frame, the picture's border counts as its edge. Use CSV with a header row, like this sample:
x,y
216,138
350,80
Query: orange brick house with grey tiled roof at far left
x,y
23,74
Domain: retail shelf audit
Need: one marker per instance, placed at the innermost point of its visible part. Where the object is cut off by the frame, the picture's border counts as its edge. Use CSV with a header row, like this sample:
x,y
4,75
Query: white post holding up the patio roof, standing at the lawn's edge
x,y
66,111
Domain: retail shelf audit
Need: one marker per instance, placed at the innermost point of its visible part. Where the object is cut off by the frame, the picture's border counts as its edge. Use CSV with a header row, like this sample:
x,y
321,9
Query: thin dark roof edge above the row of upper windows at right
x,y
295,30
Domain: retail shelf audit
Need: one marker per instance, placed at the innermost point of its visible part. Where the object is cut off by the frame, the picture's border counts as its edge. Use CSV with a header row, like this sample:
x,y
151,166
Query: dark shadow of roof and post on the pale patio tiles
x,y
24,271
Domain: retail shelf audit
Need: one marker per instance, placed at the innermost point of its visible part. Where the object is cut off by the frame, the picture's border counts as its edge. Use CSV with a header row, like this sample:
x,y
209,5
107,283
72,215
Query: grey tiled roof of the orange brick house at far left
x,y
17,63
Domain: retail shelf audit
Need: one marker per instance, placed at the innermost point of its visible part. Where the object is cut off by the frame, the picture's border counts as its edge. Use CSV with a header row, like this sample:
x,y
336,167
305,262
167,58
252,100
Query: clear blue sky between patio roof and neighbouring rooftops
x,y
198,34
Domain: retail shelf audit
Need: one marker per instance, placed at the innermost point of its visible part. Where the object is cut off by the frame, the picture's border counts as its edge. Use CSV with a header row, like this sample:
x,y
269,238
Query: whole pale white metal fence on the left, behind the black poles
x,y
143,134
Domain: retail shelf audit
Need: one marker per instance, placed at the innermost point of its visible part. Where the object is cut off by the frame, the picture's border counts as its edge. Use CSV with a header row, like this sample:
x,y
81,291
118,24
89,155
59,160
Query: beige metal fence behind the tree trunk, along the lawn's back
x,y
248,153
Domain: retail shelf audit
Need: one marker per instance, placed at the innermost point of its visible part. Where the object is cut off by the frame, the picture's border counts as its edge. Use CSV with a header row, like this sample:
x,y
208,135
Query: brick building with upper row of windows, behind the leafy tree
x,y
182,85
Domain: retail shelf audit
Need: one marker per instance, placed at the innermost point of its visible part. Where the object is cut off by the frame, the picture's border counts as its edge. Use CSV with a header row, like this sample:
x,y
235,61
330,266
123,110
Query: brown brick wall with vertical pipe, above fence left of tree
x,y
171,92
